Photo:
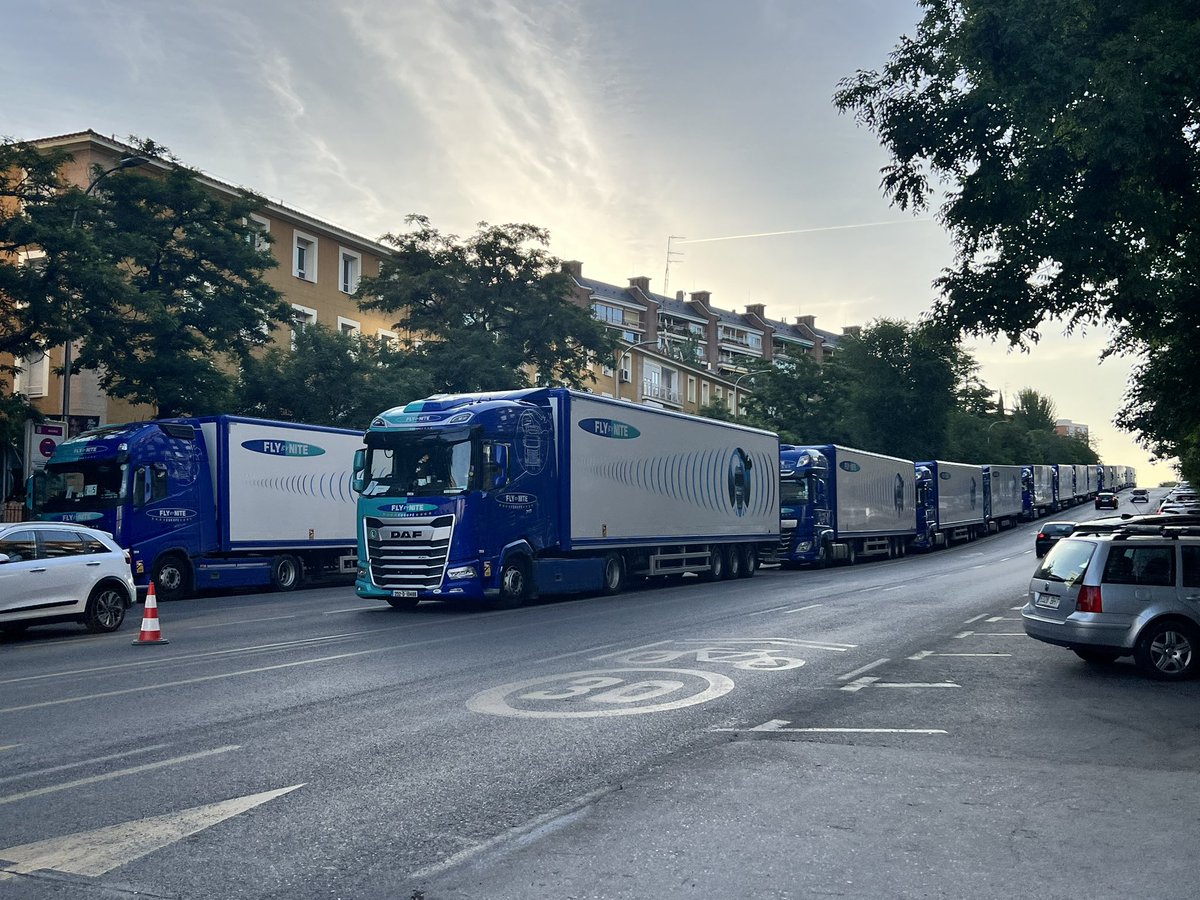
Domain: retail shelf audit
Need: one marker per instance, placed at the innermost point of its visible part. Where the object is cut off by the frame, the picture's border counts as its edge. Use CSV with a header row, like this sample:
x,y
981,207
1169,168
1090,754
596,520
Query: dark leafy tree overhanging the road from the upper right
x,y
1064,134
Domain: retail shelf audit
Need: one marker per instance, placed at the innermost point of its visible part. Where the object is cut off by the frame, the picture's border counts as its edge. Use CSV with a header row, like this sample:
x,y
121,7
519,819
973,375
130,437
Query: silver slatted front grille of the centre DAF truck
x,y
409,554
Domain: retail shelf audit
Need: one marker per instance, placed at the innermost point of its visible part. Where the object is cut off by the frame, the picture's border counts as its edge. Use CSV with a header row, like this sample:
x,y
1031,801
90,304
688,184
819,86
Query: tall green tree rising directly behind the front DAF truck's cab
x,y
489,313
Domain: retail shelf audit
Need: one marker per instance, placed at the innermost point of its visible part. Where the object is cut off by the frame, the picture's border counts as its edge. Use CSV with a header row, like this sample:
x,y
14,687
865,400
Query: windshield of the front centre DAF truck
x,y
419,466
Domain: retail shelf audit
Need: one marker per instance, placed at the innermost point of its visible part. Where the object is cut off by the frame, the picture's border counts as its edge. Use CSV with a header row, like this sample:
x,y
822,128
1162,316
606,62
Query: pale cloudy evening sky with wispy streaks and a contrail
x,y
615,124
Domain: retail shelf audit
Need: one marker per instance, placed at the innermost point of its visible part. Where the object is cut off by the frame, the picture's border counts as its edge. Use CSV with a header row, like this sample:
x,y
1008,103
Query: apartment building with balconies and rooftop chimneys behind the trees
x,y
686,353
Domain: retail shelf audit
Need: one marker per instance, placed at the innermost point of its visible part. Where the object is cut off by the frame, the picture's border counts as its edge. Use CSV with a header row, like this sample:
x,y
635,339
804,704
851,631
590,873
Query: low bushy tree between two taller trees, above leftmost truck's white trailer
x,y
331,379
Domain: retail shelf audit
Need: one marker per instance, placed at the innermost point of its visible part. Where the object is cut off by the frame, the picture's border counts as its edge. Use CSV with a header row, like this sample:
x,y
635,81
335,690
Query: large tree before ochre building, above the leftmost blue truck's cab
x,y
188,304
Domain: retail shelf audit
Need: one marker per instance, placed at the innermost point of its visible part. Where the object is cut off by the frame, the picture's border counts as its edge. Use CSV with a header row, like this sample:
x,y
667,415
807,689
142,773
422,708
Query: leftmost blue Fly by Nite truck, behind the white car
x,y
211,502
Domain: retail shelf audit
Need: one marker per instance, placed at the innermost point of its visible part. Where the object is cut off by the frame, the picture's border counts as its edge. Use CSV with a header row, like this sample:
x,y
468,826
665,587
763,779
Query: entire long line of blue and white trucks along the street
x,y
513,495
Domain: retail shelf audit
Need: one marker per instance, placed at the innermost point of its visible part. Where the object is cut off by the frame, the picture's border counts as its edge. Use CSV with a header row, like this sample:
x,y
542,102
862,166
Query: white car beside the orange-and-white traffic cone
x,y
55,572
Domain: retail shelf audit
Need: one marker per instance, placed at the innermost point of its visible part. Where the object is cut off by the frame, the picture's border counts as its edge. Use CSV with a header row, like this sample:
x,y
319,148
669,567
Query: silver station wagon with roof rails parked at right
x,y
1132,592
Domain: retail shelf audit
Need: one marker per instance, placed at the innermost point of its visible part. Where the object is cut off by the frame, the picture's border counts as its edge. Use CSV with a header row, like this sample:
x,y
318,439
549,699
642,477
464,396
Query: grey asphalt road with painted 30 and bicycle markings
x,y
877,731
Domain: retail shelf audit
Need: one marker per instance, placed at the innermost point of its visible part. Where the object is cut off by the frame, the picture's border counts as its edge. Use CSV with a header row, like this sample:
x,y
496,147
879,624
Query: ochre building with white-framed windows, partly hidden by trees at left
x,y
320,267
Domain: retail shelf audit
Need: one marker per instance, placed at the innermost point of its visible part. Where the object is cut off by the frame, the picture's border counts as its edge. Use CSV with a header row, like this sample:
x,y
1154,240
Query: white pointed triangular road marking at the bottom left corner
x,y
101,850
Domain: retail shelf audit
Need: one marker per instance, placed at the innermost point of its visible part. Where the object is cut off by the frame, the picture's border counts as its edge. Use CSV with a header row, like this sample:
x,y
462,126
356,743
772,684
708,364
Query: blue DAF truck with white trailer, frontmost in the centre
x,y
508,496
